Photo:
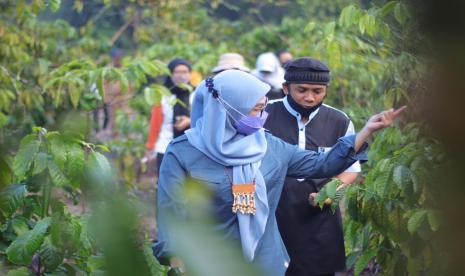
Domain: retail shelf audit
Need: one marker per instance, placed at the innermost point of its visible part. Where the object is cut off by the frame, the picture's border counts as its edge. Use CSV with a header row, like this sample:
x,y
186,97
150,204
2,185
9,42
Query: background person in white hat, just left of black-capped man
x,y
269,70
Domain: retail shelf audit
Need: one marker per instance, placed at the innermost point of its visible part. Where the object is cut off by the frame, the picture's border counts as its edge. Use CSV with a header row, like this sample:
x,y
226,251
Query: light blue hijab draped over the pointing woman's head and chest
x,y
214,134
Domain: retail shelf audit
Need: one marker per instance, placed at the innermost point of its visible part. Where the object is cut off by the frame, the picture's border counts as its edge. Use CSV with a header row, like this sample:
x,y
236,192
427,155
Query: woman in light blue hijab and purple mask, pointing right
x,y
229,150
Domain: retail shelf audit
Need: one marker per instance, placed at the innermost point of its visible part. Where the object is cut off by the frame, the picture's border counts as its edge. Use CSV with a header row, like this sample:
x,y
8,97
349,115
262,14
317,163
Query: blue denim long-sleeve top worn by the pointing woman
x,y
182,160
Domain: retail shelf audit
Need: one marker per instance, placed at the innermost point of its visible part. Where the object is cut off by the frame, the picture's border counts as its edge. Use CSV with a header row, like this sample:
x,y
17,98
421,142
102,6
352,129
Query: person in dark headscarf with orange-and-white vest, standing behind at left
x,y
169,121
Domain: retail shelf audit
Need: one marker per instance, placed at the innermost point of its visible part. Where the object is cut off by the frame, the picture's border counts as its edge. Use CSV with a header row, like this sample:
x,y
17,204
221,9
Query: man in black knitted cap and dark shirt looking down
x,y
313,237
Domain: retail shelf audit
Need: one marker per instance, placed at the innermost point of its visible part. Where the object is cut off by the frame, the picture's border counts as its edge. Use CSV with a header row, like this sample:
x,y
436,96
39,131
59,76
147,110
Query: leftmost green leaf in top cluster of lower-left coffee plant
x,y
28,149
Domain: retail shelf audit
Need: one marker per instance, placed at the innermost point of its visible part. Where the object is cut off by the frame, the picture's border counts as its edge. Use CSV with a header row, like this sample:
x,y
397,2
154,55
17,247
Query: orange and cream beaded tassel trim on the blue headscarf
x,y
244,198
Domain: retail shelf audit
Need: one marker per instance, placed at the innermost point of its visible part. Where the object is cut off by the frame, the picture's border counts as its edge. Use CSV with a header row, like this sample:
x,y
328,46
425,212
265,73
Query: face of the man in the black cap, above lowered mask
x,y
305,94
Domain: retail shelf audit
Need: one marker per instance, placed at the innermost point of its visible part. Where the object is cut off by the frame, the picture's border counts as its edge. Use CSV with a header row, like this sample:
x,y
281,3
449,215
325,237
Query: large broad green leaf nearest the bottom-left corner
x,y
23,248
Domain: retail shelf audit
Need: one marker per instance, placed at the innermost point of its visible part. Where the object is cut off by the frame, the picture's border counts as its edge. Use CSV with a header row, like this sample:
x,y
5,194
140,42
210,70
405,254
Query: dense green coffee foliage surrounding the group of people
x,y
54,73
